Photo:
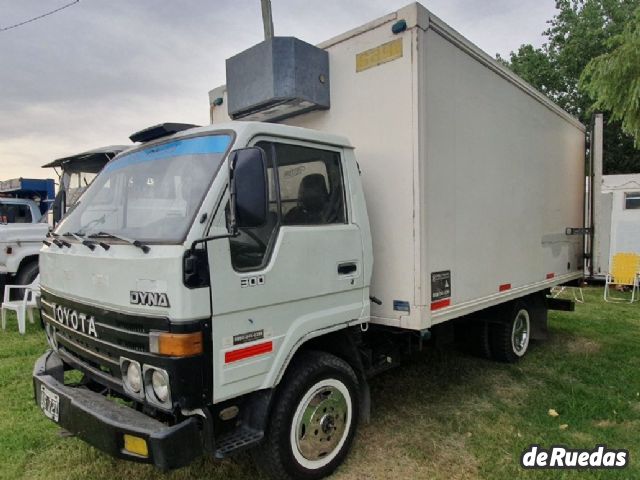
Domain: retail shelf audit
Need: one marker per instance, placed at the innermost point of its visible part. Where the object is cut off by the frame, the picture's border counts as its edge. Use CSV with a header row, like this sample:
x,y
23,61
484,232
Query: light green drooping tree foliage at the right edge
x,y
613,79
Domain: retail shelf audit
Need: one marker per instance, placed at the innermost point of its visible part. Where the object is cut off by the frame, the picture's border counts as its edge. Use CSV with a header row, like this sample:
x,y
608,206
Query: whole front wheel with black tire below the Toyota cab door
x,y
313,421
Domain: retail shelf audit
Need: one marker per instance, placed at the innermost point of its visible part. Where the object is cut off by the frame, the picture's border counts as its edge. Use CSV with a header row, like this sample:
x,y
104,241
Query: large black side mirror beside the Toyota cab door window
x,y
249,194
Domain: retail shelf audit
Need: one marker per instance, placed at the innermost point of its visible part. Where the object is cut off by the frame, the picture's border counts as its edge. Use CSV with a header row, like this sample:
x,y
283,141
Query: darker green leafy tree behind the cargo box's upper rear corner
x,y
581,31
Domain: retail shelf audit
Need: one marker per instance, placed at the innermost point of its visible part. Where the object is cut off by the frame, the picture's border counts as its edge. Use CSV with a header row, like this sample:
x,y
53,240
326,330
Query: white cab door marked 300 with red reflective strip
x,y
300,273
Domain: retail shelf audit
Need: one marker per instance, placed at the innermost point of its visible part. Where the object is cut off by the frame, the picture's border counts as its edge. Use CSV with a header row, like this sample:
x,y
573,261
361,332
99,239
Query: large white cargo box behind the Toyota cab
x,y
471,176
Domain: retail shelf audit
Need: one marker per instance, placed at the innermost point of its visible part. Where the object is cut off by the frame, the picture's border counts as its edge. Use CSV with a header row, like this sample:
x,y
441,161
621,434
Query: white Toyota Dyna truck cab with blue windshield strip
x,y
198,265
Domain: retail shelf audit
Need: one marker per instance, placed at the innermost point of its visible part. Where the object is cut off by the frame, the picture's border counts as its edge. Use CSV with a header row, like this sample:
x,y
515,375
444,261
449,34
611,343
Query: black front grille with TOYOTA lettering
x,y
95,346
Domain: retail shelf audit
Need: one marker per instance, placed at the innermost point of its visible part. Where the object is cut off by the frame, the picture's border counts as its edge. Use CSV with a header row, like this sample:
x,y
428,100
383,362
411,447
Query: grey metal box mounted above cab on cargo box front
x,y
278,78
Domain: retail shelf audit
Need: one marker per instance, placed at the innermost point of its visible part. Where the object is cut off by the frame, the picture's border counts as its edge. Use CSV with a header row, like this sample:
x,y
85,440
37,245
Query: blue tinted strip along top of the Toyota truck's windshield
x,y
188,146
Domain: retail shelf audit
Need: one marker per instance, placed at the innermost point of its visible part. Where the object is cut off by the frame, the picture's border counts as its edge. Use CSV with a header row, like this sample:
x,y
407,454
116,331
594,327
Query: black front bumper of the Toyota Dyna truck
x,y
103,423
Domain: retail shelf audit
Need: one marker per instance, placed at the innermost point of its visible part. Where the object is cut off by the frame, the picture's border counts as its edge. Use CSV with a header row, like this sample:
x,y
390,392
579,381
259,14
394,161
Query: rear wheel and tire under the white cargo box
x,y
510,338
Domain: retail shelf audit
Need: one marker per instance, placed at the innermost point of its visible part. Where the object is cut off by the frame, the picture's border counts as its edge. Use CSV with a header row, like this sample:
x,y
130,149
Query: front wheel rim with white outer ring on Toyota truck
x,y
321,423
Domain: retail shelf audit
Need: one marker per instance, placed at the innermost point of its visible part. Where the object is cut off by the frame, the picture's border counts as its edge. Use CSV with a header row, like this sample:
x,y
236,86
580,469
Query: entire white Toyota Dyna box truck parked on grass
x,y
237,285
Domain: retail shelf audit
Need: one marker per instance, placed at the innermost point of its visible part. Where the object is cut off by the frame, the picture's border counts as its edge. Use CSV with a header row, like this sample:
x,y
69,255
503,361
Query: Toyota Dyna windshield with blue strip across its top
x,y
151,194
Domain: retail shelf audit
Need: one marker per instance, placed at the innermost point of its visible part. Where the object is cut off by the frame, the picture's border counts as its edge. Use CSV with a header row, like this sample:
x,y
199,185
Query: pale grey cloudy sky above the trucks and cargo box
x,y
92,74
